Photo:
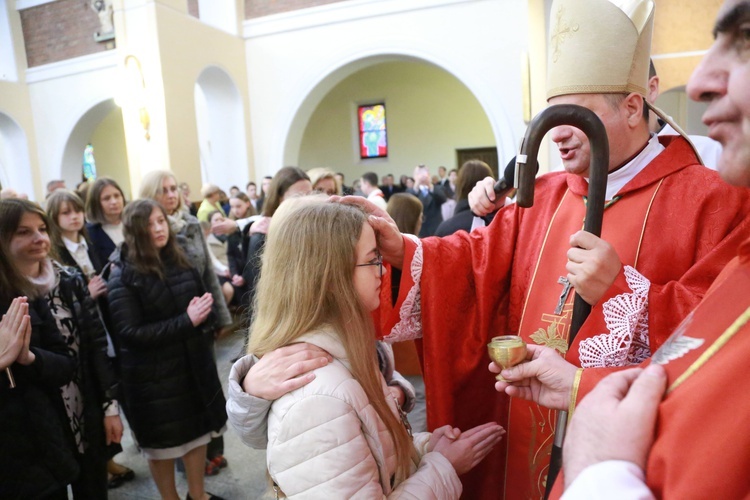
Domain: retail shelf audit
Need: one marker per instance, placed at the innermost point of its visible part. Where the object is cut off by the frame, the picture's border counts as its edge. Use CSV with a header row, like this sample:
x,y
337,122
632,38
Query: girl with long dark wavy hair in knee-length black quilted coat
x,y
163,322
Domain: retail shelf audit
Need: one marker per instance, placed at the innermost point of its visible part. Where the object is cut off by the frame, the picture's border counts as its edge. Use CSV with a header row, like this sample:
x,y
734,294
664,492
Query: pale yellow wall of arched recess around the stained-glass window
x,y
430,114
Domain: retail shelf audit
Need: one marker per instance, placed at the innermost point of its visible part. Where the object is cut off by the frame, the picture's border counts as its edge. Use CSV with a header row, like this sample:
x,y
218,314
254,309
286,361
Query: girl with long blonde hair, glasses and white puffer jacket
x,y
345,422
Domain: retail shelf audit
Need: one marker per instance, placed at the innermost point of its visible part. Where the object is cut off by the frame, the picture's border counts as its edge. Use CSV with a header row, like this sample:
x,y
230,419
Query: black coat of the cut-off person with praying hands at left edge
x,y
36,457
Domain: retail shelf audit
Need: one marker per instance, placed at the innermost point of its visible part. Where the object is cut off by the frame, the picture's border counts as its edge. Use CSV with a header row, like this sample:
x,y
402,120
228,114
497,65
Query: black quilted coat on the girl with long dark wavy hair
x,y
169,385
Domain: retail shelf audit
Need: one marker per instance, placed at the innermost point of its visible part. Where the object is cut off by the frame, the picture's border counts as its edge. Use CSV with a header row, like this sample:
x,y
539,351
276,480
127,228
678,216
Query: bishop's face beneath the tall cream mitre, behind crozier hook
x,y
572,143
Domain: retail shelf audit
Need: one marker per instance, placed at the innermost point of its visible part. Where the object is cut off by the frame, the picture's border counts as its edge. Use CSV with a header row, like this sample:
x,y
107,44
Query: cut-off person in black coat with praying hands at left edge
x,y
37,458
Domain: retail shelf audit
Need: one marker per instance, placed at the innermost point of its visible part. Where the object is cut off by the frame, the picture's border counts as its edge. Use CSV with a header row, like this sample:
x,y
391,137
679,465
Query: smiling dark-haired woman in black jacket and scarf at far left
x,y
89,397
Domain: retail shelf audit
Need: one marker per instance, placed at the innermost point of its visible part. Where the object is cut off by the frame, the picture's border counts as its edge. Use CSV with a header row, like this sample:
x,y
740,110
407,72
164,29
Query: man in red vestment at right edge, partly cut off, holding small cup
x,y
692,443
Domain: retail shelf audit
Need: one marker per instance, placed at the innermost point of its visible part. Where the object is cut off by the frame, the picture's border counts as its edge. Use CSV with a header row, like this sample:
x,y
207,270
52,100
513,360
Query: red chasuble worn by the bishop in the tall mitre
x,y
674,226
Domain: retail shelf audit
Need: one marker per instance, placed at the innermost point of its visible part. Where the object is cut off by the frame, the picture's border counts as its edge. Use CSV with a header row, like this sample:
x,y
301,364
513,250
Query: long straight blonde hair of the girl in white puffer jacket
x,y
307,281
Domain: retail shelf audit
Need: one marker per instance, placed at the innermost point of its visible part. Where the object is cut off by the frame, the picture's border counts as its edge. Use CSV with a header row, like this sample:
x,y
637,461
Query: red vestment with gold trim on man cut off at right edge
x,y
702,447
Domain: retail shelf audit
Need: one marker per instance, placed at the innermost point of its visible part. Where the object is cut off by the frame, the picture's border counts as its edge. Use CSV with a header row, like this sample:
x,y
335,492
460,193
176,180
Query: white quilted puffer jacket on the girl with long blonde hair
x,y
326,441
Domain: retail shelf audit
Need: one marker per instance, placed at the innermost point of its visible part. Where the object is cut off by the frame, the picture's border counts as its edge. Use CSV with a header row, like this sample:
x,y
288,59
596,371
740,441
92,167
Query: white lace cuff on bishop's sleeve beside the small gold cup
x,y
626,316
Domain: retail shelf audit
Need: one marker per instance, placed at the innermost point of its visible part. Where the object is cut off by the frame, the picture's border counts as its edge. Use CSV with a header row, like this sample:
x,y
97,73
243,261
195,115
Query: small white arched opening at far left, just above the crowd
x,y
15,165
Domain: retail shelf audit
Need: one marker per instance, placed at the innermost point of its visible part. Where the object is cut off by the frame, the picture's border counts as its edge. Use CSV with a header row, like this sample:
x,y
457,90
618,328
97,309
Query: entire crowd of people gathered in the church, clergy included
x,y
113,307
